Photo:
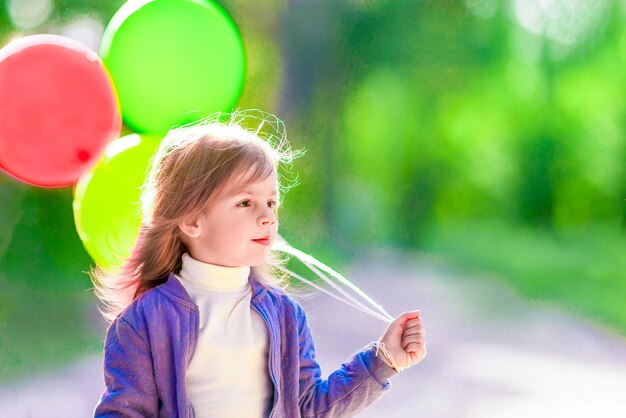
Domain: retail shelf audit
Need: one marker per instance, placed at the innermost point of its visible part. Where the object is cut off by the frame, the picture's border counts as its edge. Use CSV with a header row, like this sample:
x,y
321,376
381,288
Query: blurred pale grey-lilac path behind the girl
x,y
491,354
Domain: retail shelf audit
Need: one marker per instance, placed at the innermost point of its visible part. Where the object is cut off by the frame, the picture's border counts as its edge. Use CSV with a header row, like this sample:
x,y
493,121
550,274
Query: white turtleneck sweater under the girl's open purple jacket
x,y
228,374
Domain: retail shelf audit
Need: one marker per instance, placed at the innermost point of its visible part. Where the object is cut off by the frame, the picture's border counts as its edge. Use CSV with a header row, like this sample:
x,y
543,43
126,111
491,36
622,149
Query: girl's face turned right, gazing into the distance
x,y
239,227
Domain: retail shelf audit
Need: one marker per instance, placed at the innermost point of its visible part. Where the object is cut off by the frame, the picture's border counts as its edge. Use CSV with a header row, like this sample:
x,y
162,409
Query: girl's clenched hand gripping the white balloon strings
x,y
404,338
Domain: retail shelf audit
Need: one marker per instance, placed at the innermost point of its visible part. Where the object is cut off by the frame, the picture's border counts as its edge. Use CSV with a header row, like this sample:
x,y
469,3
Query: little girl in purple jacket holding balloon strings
x,y
201,326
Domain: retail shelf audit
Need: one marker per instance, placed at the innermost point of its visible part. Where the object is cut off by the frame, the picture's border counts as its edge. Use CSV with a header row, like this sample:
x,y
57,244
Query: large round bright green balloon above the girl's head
x,y
173,62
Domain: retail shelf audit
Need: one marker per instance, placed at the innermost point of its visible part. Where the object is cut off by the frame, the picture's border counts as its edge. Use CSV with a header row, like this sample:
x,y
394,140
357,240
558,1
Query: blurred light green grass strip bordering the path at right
x,y
582,270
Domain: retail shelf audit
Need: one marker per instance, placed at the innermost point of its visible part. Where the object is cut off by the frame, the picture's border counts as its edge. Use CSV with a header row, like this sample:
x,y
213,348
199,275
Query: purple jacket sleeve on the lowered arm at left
x,y
128,375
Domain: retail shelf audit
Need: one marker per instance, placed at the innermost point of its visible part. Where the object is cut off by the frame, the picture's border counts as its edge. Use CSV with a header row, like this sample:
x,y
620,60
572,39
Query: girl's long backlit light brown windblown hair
x,y
193,165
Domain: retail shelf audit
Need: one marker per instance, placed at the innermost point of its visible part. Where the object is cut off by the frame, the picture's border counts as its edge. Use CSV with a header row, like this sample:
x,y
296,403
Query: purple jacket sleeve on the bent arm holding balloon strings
x,y
358,382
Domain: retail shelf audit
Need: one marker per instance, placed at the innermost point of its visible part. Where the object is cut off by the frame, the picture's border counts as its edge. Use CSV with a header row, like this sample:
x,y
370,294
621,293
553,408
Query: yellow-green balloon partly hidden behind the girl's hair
x,y
107,209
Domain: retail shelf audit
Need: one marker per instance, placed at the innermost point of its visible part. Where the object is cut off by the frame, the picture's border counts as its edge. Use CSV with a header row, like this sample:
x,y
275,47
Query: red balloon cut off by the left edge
x,y
58,110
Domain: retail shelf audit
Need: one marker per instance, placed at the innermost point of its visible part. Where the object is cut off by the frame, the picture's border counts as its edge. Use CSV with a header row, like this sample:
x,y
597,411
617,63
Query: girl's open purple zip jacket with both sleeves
x,y
149,345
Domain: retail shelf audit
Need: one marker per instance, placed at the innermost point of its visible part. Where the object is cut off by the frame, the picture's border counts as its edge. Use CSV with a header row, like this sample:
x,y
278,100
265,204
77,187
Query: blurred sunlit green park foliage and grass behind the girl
x,y
486,134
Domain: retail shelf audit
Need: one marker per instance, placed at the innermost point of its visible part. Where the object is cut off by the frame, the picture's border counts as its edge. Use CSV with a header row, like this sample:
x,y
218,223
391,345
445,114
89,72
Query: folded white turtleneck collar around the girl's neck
x,y
212,277
